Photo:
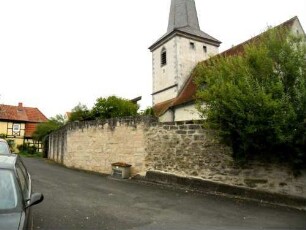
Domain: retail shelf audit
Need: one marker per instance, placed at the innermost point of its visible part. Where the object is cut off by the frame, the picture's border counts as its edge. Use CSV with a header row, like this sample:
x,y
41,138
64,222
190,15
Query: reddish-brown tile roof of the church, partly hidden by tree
x,y
188,92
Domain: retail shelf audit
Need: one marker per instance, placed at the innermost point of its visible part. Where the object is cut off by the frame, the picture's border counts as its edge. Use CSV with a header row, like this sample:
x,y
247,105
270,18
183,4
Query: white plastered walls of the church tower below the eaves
x,y
181,59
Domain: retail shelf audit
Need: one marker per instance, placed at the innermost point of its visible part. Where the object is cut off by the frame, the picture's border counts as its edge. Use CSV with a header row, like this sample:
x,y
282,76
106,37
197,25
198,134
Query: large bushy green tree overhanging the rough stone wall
x,y
257,100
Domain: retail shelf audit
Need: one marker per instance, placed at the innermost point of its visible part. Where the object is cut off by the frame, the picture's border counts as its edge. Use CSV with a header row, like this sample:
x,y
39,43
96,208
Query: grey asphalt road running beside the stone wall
x,y
79,200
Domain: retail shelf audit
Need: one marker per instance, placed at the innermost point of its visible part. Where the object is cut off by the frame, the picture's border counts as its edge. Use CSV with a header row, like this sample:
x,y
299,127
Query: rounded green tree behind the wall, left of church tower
x,y
113,106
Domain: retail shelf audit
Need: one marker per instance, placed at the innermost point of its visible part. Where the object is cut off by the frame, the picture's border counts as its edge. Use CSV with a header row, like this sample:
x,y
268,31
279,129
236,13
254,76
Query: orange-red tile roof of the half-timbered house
x,y
20,113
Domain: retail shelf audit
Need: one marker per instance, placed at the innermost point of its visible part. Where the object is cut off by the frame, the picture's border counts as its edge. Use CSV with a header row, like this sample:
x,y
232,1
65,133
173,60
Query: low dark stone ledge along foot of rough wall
x,y
219,188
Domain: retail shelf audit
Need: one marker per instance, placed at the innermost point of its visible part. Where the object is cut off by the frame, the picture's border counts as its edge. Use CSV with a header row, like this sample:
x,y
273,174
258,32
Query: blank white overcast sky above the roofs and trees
x,y
57,53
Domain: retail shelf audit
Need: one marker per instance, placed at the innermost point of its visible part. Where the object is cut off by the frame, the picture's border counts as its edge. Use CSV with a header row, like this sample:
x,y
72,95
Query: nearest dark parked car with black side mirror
x,y
16,195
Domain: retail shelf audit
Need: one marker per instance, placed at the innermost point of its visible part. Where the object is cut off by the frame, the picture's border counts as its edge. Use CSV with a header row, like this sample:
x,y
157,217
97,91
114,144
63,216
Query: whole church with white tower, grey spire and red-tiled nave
x,y
176,54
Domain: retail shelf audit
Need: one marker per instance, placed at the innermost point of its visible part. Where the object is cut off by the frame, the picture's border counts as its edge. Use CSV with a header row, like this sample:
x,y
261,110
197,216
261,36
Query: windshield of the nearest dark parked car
x,y
8,191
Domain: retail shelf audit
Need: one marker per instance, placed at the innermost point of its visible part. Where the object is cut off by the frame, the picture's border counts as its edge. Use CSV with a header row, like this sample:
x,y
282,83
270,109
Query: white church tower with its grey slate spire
x,y
176,53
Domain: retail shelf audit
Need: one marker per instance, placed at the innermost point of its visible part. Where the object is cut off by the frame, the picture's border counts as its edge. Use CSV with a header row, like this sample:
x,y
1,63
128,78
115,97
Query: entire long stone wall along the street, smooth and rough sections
x,y
182,148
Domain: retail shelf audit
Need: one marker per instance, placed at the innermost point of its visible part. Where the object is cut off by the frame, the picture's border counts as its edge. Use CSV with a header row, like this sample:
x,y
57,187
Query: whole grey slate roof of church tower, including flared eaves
x,y
183,20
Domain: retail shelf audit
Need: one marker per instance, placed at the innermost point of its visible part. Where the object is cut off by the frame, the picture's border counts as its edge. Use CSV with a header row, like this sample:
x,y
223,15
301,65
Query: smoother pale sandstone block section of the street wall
x,y
94,146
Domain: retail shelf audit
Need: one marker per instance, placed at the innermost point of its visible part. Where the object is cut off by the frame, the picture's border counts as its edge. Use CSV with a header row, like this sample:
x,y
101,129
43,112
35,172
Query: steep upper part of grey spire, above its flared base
x,y
183,13
